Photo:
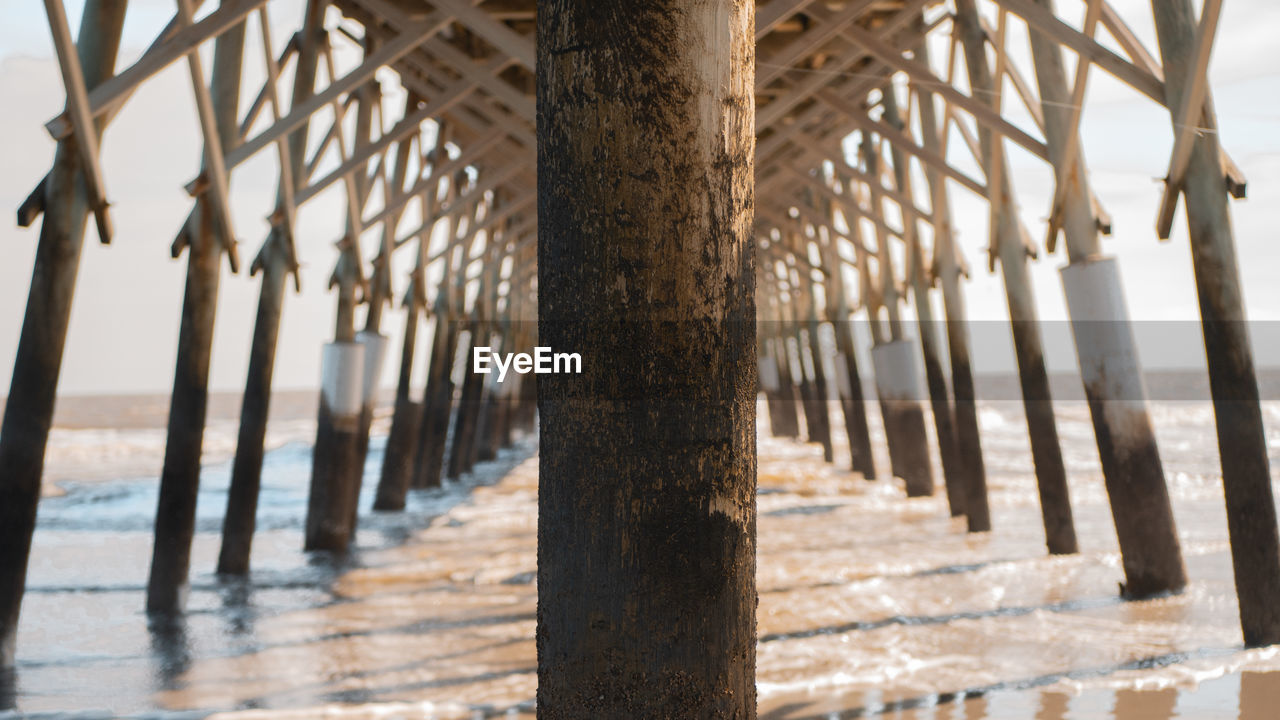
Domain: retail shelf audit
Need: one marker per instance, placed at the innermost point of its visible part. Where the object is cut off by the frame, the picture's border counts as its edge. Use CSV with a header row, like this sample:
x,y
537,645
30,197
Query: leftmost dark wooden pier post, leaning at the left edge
x,y
30,408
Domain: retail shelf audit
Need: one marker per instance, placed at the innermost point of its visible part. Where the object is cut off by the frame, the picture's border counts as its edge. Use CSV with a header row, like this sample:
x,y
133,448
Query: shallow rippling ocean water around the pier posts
x,y
871,604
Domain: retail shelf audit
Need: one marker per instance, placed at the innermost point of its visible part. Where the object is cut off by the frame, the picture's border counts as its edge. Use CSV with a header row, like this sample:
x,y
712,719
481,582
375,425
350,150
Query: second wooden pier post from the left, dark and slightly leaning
x,y
180,480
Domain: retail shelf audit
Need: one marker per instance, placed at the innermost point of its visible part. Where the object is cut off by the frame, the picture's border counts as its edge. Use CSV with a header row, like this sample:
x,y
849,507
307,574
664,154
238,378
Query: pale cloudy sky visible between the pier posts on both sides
x,y
125,323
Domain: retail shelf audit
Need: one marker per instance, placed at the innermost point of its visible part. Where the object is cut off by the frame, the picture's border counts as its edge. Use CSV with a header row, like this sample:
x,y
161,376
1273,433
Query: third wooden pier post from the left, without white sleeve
x,y
276,261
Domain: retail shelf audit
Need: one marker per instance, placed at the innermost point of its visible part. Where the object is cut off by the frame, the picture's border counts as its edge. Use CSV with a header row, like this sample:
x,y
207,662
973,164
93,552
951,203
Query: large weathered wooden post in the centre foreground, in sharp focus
x,y
647,503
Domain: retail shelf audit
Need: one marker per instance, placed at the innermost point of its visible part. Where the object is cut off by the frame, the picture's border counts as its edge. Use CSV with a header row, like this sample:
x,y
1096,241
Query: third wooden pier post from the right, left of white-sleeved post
x,y
1013,252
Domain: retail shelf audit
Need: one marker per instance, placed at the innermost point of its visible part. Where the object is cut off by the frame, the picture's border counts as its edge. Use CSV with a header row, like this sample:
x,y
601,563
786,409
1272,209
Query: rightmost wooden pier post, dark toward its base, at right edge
x,y
1242,444
